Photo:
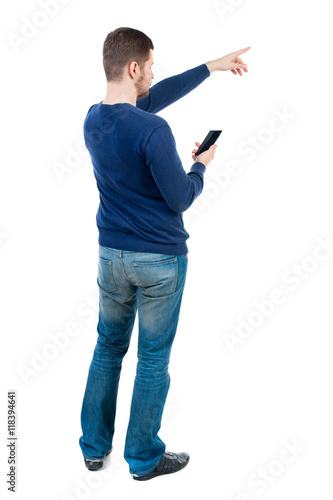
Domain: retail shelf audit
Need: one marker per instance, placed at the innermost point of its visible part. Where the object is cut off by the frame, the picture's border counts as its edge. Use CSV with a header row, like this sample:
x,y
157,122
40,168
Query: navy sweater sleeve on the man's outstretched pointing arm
x,y
171,89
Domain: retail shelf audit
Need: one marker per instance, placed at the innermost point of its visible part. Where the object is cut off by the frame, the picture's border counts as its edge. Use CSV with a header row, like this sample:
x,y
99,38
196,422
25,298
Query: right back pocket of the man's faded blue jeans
x,y
159,277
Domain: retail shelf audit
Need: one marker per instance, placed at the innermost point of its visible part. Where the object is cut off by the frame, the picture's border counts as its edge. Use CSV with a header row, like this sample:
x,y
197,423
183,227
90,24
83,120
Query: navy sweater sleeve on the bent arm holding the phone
x,y
178,188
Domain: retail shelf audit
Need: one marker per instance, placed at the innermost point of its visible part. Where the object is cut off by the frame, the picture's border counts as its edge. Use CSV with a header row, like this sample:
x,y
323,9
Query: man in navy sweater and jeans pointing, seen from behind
x,y
142,263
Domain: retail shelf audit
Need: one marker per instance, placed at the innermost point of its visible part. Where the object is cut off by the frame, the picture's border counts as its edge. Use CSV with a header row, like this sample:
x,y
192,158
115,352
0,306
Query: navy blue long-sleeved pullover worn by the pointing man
x,y
143,187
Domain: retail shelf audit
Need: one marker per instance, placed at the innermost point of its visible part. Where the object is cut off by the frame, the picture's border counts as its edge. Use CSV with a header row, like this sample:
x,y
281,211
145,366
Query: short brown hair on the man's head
x,y
122,46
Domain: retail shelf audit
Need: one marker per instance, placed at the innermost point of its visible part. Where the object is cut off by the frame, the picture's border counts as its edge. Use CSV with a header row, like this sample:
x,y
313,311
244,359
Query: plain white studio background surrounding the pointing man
x,y
232,410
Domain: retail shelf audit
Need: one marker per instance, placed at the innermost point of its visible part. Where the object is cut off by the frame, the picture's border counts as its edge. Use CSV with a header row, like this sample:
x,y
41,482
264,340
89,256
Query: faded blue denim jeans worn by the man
x,y
129,281
